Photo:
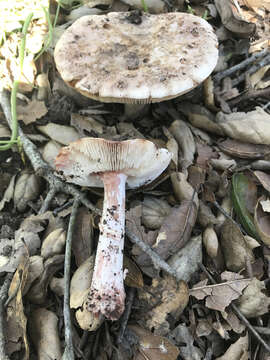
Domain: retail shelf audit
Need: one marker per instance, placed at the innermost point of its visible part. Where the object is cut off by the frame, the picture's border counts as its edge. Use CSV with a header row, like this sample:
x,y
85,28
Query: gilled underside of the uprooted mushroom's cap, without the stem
x,y
83,160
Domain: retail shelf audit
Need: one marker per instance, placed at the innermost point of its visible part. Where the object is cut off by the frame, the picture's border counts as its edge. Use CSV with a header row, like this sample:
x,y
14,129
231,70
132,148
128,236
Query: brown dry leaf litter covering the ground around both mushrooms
x,y
211,207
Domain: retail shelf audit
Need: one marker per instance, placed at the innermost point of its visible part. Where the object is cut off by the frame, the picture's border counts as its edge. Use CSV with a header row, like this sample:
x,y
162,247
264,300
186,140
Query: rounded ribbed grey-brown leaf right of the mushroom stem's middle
x,y
154,212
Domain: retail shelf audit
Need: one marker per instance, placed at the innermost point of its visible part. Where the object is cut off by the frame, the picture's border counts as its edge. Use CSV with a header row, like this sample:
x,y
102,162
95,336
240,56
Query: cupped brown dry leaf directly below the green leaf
x,y
235,249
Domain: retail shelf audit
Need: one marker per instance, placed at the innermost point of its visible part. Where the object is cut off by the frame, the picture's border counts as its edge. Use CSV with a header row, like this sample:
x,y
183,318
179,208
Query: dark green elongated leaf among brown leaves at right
x,y
240,190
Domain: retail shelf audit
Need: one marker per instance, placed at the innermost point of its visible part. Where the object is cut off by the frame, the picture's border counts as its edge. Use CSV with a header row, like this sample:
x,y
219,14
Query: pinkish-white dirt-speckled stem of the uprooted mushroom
x,y
107,293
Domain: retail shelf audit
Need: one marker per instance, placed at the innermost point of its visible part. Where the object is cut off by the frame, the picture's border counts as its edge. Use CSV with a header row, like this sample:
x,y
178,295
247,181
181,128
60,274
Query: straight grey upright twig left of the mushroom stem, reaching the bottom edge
x,y
69,350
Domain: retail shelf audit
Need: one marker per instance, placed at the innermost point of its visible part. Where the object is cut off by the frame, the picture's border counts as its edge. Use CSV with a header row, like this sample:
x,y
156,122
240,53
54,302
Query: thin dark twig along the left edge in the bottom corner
x,y
3,297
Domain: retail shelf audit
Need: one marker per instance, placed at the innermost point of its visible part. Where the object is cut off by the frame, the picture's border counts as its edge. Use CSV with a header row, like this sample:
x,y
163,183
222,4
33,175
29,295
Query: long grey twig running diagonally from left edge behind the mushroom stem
x,y
45,171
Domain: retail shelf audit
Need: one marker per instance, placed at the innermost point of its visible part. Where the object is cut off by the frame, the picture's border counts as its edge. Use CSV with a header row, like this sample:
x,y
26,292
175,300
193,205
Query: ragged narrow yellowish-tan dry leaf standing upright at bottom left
x,y
15,307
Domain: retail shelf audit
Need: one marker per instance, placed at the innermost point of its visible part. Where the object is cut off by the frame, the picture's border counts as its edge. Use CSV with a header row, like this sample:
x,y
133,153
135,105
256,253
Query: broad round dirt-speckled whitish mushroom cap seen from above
x,y
133,57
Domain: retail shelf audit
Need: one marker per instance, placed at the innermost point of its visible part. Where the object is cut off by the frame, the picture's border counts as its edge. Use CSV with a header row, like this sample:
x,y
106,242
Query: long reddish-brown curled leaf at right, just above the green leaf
x,y
244,150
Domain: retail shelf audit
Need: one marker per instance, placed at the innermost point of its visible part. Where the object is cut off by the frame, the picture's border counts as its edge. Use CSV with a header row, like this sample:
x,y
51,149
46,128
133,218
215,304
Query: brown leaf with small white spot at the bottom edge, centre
x,y
153,347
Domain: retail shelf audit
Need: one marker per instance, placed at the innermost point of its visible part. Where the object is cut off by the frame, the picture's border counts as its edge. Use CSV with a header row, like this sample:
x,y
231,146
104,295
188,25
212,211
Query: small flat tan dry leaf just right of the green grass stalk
x,y
32,111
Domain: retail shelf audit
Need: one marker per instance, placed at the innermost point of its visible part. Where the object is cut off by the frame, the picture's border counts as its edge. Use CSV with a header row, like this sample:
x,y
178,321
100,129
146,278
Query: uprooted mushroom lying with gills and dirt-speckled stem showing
x,y
112,164
